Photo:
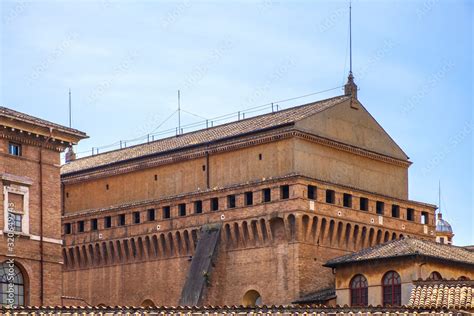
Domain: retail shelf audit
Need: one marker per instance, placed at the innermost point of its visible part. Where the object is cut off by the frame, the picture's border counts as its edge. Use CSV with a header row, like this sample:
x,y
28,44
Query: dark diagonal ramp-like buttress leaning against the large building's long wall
x,y
201,265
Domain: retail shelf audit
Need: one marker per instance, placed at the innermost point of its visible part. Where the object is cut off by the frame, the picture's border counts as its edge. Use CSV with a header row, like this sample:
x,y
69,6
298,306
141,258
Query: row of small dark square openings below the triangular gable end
x,y
347,201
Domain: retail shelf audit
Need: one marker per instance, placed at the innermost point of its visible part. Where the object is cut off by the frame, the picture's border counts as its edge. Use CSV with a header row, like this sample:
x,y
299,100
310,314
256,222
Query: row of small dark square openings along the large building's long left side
x,y
182,210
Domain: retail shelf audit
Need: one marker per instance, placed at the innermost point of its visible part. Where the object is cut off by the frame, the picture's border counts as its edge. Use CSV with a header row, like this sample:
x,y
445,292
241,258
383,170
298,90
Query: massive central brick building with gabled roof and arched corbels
x,y
242,213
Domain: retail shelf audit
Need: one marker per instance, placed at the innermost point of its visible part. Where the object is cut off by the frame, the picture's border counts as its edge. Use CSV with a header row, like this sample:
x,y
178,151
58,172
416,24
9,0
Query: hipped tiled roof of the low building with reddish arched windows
x,y
407,247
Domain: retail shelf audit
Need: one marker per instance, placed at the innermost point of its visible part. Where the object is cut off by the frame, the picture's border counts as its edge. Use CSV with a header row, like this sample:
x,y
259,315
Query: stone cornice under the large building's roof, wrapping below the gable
x,y
224,146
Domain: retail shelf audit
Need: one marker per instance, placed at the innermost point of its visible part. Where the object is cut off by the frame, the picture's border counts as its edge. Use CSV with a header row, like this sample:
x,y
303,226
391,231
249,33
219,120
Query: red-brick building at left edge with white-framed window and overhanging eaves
x,y
30,223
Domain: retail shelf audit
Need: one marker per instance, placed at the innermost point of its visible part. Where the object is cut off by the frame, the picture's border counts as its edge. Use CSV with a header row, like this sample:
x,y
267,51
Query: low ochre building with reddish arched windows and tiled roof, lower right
x,y
391,274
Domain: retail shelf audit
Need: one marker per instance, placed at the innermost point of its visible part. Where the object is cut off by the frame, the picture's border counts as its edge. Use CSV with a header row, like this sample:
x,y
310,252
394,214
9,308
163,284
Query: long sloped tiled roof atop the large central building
x,y
250,125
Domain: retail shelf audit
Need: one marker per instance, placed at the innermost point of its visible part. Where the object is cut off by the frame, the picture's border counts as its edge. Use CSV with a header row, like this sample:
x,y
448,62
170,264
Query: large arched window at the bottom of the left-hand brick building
x,y
12,290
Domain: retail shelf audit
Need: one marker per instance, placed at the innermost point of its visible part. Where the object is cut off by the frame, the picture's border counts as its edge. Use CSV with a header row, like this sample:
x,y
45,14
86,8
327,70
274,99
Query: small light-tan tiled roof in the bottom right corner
x,y
443,294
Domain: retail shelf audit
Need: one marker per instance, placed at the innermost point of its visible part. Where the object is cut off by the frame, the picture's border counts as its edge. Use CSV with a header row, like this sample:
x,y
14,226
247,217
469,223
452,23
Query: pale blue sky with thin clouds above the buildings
x,y
125,61
